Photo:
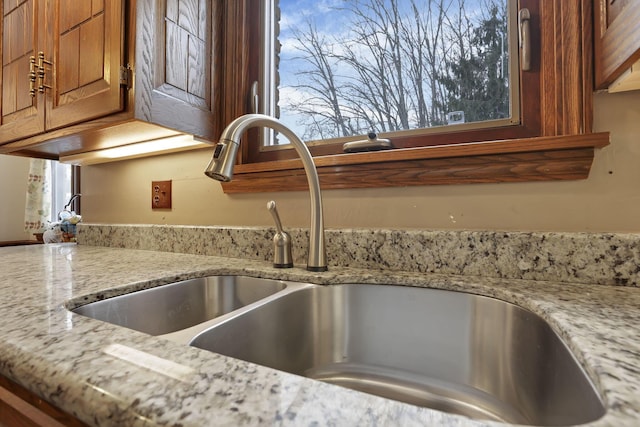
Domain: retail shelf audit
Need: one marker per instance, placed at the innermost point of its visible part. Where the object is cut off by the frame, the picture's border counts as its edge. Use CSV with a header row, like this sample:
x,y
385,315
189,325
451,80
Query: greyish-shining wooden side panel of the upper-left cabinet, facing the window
x,y
174,51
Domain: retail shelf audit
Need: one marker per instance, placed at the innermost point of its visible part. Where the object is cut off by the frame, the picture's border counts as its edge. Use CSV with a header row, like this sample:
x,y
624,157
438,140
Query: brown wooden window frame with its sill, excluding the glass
x,y
552,140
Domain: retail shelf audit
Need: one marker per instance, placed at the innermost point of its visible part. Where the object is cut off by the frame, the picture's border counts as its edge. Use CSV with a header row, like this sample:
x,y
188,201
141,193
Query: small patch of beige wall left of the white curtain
x,y
13,190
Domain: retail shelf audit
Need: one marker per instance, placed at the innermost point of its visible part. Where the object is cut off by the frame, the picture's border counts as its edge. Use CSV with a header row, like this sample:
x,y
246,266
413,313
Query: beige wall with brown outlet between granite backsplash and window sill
x,y
608,201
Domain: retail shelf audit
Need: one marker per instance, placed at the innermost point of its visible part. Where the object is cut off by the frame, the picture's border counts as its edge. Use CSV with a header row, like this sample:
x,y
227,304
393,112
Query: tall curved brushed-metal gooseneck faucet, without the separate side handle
x,y
221,168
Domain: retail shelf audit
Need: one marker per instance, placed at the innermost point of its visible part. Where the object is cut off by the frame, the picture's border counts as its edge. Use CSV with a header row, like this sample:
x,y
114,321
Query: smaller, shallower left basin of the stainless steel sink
x,y
177,306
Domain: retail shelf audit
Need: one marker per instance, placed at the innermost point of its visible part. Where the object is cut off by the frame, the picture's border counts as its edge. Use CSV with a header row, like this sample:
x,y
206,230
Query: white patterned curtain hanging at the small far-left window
x,y
38,205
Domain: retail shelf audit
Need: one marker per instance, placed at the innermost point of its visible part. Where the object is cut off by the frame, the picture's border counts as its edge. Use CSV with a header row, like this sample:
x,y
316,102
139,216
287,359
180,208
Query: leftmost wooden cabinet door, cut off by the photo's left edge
x,y
22,110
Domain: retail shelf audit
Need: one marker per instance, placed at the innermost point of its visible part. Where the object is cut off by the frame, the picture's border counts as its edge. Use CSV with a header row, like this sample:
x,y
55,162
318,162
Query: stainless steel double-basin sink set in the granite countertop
x,y
450,351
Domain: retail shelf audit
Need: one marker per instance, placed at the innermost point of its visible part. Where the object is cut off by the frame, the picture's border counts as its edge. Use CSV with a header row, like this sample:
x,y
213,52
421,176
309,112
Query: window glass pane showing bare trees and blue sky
x,y
341,68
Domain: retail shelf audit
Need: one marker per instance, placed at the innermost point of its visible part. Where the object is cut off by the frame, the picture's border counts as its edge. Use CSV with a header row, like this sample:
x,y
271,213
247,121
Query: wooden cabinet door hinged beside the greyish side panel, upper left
x,y
85,51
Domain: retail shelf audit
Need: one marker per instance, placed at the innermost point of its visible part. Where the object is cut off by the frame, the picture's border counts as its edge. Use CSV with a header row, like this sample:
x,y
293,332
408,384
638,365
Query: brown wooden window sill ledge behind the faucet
x,y
516,160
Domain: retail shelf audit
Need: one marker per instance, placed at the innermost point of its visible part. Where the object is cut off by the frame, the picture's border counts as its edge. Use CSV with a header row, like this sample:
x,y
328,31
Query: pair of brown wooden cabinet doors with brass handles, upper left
x,y
60,64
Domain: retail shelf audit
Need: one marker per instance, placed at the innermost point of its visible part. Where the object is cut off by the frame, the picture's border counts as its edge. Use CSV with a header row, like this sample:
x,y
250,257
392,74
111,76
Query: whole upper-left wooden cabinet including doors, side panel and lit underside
x,y
114,72
